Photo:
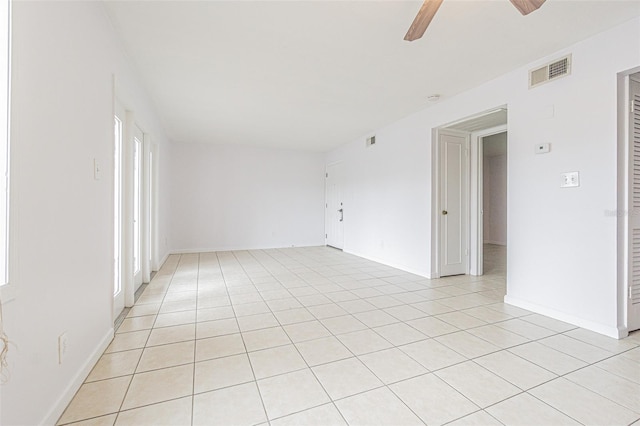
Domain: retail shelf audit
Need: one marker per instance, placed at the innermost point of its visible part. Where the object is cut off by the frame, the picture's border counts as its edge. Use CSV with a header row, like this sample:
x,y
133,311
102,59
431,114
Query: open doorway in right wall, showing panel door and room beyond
x,y
469,190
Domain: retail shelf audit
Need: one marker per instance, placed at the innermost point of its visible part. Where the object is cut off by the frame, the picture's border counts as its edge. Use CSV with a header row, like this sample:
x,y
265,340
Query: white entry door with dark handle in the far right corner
x,y
334,212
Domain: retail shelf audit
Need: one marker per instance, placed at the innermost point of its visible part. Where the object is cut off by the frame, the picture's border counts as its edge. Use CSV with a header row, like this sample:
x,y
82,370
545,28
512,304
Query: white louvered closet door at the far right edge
x,y
634,214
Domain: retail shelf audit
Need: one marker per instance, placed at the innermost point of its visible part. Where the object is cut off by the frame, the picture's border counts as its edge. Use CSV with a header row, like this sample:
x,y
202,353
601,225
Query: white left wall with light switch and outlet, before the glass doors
x,y
64,57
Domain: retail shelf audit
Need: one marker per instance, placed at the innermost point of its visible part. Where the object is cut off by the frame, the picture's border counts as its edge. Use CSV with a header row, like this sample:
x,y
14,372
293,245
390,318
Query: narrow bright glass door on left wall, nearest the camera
x,y
118,288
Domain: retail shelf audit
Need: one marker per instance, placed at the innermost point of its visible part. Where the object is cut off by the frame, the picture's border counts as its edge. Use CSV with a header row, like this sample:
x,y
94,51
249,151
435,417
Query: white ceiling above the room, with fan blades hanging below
x,y
317,74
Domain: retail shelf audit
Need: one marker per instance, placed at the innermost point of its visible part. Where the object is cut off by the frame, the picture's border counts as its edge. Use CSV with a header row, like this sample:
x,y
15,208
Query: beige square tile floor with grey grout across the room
x,y
313,336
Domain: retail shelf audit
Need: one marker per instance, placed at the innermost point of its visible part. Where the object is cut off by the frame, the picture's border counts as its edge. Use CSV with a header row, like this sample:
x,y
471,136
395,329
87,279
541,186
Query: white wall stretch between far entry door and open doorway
x,y
386,196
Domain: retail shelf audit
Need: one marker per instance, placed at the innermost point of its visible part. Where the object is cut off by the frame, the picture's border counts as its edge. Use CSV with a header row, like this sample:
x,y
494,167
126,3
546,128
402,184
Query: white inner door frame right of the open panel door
x,y
476,197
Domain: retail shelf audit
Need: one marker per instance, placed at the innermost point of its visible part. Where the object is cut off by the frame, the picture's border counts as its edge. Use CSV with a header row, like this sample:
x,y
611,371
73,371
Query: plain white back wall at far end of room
x,y
229,197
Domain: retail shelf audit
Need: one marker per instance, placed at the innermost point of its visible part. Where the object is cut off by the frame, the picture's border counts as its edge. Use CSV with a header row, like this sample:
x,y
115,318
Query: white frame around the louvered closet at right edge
x,y
623,203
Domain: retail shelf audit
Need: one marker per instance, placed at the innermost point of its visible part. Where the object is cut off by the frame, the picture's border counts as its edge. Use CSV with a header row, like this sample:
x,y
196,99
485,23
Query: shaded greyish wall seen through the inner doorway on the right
x,y
495,190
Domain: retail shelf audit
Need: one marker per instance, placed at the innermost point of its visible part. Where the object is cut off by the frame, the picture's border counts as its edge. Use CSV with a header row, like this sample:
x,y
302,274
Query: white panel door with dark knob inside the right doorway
x,y
454,183
